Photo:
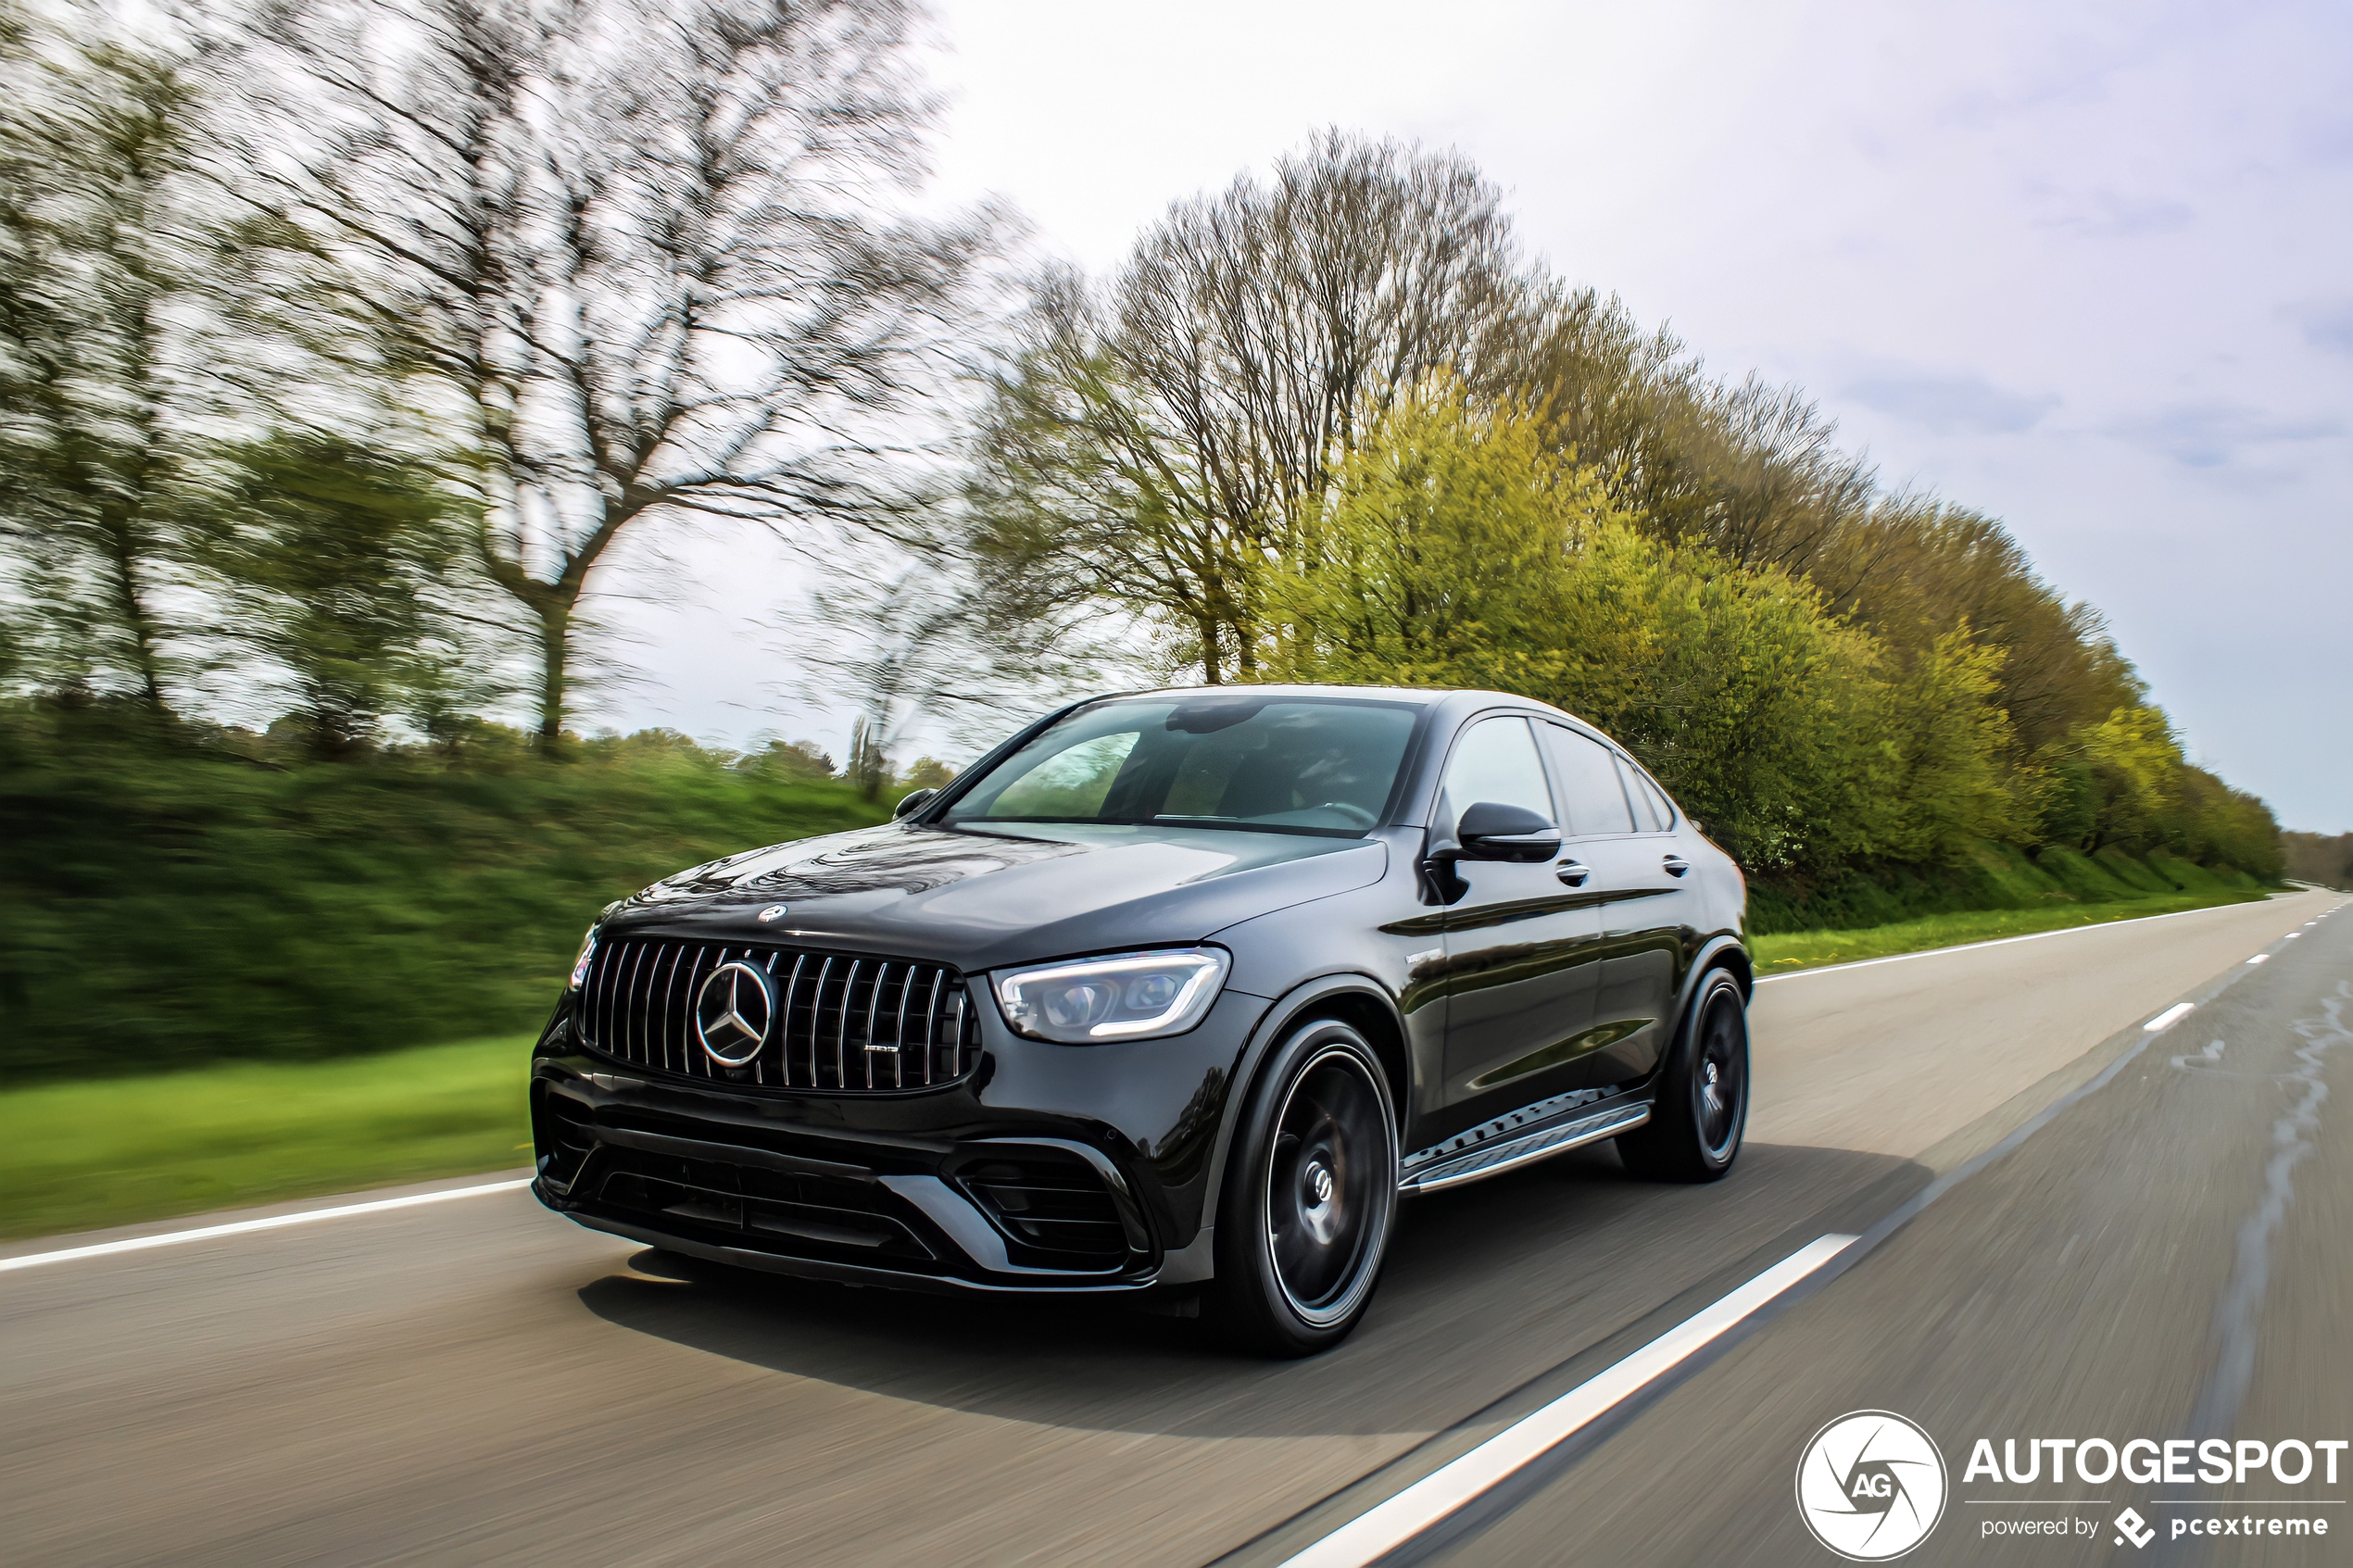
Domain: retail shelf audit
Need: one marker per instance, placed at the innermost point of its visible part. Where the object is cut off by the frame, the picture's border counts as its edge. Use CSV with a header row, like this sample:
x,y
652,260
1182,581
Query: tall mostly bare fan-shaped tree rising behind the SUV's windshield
x,y
1154,441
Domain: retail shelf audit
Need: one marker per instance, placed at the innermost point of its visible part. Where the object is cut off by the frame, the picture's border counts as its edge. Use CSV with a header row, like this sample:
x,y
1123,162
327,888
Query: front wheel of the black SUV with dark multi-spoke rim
x,y
1312,1193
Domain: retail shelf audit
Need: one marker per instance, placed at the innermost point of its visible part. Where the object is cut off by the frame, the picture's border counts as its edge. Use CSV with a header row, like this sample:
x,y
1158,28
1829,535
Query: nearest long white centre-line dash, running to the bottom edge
x,y
1451,1487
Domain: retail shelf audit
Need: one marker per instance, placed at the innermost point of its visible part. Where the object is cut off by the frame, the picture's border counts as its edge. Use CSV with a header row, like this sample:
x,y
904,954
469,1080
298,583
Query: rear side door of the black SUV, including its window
x,y
1620,838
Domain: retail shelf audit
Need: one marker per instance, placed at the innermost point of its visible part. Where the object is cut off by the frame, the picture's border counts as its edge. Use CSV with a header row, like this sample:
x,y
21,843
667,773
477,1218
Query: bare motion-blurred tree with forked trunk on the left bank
x,y
646,255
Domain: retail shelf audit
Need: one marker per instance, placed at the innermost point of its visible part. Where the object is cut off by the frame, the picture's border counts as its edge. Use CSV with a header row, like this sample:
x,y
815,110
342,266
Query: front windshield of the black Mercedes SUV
x,y
1286,765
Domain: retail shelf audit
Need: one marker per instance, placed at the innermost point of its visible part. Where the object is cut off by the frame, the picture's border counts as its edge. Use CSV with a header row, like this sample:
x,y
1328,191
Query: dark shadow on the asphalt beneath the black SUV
x,y
1486,1287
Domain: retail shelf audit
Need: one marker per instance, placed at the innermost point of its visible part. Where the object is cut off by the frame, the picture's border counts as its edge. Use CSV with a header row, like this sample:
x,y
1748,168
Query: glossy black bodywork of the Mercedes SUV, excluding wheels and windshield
x,y
1535,1003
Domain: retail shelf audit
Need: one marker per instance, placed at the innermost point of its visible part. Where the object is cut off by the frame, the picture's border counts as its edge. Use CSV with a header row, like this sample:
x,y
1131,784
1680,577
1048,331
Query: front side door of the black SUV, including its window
x,y
1521,946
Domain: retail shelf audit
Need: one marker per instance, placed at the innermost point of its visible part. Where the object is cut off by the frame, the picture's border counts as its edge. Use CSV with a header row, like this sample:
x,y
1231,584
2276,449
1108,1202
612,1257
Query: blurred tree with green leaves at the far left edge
x,y
102,253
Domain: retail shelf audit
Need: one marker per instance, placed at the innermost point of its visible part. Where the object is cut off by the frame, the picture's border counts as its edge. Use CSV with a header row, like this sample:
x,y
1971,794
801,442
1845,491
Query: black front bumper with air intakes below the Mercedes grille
x,y
1051,1170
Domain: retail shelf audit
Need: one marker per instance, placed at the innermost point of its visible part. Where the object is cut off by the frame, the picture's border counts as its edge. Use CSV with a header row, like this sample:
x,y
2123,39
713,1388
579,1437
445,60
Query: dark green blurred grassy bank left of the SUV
x,y
175,904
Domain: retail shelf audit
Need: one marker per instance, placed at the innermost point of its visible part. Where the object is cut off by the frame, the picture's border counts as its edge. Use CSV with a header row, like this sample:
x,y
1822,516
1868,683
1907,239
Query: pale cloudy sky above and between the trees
x,y
2088,269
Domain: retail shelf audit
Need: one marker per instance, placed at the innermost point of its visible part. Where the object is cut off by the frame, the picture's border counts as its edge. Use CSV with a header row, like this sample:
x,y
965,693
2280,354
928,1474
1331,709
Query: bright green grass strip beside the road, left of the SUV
x,y
145,1148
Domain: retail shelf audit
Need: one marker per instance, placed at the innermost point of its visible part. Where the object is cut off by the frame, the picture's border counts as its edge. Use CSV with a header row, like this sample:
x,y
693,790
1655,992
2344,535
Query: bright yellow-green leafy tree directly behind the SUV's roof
x,y
1462,551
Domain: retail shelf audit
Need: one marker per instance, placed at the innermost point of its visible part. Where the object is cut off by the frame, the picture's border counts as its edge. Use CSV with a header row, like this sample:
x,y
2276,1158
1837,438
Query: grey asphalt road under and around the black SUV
x,y
484,1383
